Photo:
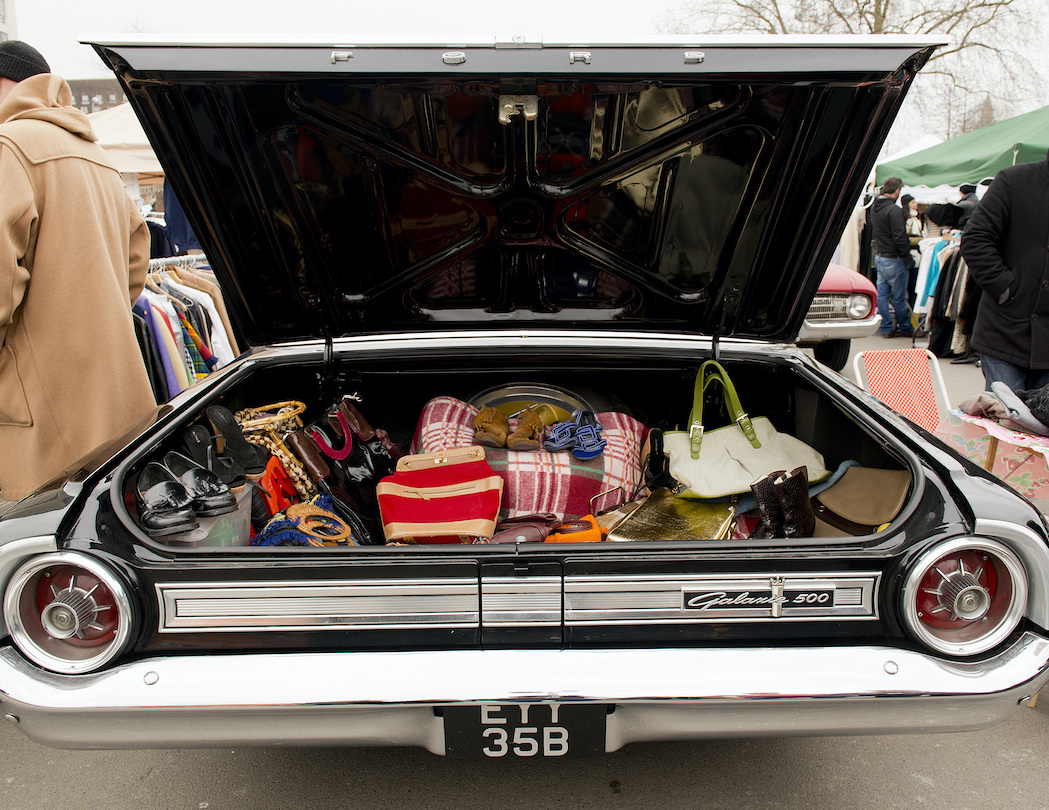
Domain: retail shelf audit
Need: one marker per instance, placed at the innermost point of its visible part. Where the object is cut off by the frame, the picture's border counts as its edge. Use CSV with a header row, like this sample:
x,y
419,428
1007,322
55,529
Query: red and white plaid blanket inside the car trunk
x,y
537,482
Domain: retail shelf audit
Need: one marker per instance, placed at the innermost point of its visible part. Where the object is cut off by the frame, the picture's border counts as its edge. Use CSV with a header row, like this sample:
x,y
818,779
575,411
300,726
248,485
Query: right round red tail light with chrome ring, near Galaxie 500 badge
x,y
966,596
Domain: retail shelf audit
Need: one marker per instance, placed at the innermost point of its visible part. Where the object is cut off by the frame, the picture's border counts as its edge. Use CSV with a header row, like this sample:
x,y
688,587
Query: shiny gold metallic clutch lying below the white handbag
x,y
665,517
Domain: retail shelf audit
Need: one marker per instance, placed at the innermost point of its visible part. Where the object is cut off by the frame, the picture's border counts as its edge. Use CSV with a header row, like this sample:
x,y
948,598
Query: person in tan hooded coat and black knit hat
x,y
74,255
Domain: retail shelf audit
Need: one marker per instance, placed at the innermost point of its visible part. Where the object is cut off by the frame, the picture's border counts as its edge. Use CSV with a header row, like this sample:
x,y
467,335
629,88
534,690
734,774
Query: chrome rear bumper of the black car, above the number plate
x,y
375,699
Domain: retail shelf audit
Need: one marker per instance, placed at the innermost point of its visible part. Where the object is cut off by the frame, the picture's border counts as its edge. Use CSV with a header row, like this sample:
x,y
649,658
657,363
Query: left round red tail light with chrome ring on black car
x,y
68,612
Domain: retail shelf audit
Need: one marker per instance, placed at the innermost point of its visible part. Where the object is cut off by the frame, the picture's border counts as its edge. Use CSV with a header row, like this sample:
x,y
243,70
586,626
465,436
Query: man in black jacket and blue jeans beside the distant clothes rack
x,y
892,260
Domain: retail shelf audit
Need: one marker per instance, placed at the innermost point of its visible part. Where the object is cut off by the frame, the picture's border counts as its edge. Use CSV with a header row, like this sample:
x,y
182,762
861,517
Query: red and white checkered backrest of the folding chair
x,y
903,379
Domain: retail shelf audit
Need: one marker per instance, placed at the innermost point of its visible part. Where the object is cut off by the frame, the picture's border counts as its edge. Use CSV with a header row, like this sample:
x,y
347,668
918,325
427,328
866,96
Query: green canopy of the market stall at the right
x,y
976,156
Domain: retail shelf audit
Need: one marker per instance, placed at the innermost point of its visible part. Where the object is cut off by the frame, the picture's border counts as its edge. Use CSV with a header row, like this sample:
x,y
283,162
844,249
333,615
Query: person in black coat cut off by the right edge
x,y
1005,248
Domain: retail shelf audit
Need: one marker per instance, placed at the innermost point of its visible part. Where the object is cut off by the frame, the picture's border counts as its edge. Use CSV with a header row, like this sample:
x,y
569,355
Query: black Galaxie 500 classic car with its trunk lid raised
x,y
577,225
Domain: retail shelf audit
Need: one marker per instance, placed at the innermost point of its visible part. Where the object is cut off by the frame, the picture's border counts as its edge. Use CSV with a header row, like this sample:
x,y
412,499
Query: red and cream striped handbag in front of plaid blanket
x,y
451,497
